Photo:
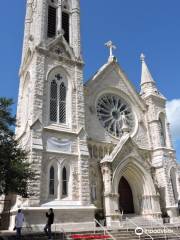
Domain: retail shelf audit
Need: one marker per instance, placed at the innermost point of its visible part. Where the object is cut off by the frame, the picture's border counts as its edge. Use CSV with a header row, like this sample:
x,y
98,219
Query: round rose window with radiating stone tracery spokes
x,y
112,112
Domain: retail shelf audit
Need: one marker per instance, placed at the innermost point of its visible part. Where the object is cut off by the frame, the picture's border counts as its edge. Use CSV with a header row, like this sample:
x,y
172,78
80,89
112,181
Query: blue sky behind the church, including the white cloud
x,y
134,26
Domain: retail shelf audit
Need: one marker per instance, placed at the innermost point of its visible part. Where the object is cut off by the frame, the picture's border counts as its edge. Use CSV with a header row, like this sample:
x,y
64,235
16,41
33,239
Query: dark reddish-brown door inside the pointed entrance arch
x,y
125,197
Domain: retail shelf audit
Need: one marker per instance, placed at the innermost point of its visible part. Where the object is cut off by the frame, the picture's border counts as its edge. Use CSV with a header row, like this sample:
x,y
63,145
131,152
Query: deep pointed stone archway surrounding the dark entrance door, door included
x,y
132,180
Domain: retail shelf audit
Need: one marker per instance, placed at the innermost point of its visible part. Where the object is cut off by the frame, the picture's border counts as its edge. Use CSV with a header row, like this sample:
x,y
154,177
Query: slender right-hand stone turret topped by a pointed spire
x,y
164,163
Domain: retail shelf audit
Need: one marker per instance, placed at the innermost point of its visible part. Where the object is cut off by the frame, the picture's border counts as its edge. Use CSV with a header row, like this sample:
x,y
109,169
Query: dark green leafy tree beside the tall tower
x,y
15,171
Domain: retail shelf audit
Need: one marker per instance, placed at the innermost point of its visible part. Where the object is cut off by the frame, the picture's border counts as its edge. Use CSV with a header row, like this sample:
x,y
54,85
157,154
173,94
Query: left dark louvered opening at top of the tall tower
x,y
51,22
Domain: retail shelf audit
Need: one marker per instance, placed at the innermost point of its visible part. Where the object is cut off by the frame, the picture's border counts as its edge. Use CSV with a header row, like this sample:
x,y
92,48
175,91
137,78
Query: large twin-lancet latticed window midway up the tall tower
x,y
58,93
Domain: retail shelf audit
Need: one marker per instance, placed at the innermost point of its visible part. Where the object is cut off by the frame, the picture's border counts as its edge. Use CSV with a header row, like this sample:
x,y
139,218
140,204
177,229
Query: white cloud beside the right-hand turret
x,y
173,115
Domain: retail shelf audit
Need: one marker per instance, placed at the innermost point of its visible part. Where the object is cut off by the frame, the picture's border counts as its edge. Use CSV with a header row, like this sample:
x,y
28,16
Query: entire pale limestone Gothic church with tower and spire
x,y
95,147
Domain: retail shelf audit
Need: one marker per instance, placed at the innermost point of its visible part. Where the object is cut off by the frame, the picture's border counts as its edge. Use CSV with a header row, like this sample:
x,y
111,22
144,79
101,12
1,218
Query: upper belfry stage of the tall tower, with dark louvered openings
x,y
46,20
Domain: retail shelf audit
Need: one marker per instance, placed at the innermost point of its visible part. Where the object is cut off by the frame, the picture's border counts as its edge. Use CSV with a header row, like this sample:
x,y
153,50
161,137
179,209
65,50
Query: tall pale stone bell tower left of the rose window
x,y
50,112
